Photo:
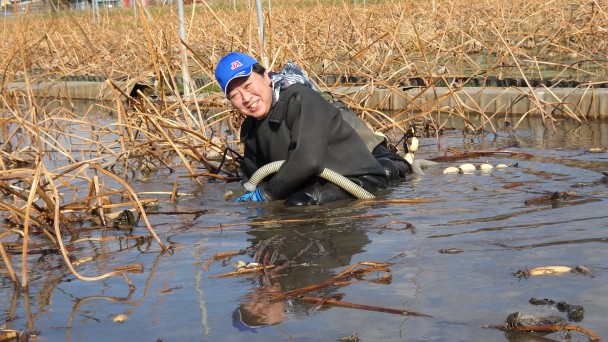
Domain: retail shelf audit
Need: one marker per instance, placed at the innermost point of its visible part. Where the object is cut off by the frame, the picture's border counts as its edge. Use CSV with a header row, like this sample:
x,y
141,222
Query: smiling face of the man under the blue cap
x,y
251,95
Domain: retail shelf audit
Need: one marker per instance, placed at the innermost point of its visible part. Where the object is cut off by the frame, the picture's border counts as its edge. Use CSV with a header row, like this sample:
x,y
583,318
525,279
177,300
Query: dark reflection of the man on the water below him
x,y
309,252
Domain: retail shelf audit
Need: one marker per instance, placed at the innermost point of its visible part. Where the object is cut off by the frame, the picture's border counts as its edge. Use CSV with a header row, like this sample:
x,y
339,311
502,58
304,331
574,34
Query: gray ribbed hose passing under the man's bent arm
x,y
327,174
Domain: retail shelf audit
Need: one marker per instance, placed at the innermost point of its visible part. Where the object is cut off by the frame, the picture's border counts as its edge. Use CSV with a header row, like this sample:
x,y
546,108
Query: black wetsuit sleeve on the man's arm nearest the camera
x,y
311,120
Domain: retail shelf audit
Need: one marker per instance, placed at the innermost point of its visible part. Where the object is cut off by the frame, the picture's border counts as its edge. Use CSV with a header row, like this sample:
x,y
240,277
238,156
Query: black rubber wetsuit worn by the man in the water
x,y
308,133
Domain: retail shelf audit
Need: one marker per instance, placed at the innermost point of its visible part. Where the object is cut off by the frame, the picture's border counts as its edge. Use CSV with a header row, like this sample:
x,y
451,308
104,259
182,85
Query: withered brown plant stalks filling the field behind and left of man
x,y
62,169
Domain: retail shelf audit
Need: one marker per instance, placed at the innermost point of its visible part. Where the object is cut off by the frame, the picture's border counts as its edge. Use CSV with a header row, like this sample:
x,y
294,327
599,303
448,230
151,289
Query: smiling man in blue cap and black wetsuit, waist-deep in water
x,y
287,119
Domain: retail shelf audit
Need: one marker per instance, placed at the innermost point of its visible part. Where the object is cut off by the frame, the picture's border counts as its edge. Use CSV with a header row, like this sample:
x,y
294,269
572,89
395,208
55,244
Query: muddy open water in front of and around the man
x,y
476,213
